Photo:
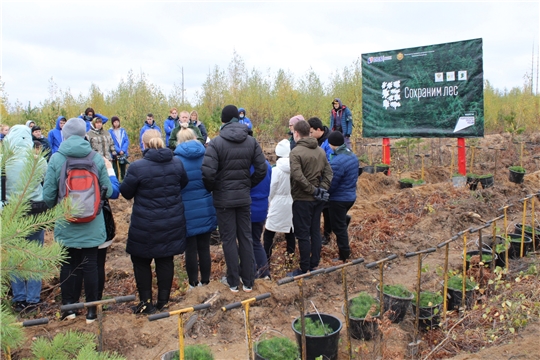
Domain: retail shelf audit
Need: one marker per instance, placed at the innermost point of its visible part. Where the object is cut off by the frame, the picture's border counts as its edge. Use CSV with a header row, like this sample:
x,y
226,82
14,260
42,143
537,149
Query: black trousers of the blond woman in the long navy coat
x,y
143,275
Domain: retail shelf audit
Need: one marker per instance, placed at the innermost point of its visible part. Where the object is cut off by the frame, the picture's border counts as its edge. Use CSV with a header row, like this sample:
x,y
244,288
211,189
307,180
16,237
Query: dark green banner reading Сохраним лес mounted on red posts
x,y
428,91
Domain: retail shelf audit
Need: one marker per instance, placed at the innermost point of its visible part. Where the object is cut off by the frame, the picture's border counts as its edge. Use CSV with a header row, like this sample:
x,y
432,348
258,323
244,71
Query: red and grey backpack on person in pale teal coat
x,y
79,180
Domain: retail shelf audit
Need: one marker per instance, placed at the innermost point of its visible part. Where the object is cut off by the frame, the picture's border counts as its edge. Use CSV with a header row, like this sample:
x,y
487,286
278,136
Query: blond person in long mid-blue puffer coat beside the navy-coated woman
x,y
201,220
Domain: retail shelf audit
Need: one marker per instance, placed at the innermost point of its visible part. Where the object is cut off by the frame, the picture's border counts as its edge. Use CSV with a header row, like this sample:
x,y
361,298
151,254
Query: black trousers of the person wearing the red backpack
x,y
80,264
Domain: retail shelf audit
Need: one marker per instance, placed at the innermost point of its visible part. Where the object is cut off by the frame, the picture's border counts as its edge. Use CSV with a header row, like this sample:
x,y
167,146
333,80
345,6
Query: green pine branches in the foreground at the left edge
x,y
20,258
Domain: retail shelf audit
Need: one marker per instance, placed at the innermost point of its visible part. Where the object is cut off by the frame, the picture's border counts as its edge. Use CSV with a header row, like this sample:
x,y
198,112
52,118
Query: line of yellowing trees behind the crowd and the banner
x,y
270,99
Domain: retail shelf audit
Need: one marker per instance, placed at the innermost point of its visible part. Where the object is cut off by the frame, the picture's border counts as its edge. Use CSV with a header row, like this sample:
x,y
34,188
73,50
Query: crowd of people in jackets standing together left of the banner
x,y
200,186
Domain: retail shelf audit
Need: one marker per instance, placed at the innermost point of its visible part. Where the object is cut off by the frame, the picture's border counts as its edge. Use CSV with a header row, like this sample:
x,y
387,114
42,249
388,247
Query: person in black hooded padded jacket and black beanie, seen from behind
x,y
226,173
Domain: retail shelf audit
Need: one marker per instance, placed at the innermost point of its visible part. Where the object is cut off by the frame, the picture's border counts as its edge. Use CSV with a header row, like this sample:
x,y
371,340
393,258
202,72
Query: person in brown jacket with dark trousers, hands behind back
x,y
310,179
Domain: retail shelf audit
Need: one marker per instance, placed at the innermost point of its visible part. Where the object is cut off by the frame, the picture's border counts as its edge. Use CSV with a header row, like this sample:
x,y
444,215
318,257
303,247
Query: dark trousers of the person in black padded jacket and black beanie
x,y
235,223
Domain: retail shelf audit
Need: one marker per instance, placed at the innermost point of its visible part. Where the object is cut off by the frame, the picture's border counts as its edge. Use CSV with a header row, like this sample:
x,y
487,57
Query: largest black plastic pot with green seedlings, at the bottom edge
x,y
320,345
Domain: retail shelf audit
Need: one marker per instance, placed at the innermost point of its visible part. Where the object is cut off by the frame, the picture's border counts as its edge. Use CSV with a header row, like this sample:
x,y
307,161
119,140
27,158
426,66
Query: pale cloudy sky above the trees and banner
x,y
80,43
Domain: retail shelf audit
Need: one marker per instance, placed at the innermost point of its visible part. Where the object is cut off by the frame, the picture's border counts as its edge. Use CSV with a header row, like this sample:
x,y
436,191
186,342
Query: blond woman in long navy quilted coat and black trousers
x,y
157,230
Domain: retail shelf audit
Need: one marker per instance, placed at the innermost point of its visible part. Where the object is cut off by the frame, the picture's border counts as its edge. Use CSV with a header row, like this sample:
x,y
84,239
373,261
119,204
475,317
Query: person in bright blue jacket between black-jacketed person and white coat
x,y
259,211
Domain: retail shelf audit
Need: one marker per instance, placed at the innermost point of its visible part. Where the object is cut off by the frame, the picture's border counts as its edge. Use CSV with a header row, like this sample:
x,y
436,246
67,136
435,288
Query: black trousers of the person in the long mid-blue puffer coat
x,y
198,258
